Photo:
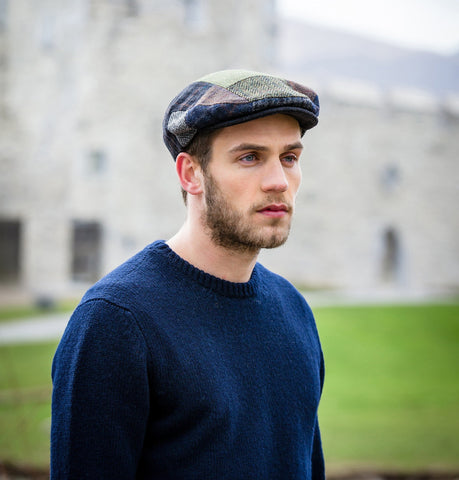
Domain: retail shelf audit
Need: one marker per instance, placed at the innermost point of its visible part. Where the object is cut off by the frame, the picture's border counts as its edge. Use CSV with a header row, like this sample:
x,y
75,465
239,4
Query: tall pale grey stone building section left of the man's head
x,y
84,177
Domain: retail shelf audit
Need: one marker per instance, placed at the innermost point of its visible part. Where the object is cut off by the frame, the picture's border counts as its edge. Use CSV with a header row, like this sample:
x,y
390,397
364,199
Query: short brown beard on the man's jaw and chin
x,y
227,227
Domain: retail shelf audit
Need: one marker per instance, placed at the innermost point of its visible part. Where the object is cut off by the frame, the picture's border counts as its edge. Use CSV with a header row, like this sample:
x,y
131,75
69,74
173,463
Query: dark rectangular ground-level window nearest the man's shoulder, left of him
x,y
87,251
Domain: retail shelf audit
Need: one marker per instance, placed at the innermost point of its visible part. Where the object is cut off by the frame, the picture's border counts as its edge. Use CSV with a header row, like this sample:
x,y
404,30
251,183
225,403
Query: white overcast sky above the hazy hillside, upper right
x,y
431,25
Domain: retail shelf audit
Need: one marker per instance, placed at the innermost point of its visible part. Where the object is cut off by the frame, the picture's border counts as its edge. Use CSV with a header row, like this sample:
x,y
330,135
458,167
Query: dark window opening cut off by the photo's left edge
x,y
10,251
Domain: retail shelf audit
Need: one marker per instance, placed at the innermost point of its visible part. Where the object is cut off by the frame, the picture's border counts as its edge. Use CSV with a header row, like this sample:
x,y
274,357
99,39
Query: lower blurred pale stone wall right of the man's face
x,y
379,195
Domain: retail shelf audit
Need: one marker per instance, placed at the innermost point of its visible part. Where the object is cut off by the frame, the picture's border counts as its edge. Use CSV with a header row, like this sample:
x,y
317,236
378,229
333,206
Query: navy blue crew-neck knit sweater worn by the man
x,y
167,372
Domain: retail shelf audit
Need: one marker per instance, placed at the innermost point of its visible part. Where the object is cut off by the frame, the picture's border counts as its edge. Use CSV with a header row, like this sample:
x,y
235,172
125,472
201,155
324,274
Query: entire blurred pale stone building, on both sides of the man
x,y
85,180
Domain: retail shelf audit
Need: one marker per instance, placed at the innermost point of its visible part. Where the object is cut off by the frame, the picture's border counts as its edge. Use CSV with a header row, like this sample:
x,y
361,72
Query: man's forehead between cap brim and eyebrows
x,y
272,129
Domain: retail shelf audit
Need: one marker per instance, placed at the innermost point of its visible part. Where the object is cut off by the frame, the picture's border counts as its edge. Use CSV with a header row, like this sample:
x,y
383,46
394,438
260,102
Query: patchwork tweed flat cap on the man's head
x,y
230,97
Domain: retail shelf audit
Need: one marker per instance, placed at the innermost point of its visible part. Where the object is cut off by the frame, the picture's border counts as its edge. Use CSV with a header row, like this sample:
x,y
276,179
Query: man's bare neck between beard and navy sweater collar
x,y
195,246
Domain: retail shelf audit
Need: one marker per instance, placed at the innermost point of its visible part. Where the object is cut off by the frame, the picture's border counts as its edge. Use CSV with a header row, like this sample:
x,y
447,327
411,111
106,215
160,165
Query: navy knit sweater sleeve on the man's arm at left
x,y
100,400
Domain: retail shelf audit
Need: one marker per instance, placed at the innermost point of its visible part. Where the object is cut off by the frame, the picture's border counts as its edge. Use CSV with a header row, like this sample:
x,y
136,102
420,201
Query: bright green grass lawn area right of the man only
x,y
391,396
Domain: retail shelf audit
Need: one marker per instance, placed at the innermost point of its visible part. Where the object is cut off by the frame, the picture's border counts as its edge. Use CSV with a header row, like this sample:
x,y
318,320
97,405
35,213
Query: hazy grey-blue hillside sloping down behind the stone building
x,y
328,54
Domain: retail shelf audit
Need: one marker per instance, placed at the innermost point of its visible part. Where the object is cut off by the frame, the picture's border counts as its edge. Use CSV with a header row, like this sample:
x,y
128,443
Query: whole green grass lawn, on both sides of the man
x,y
391,393
